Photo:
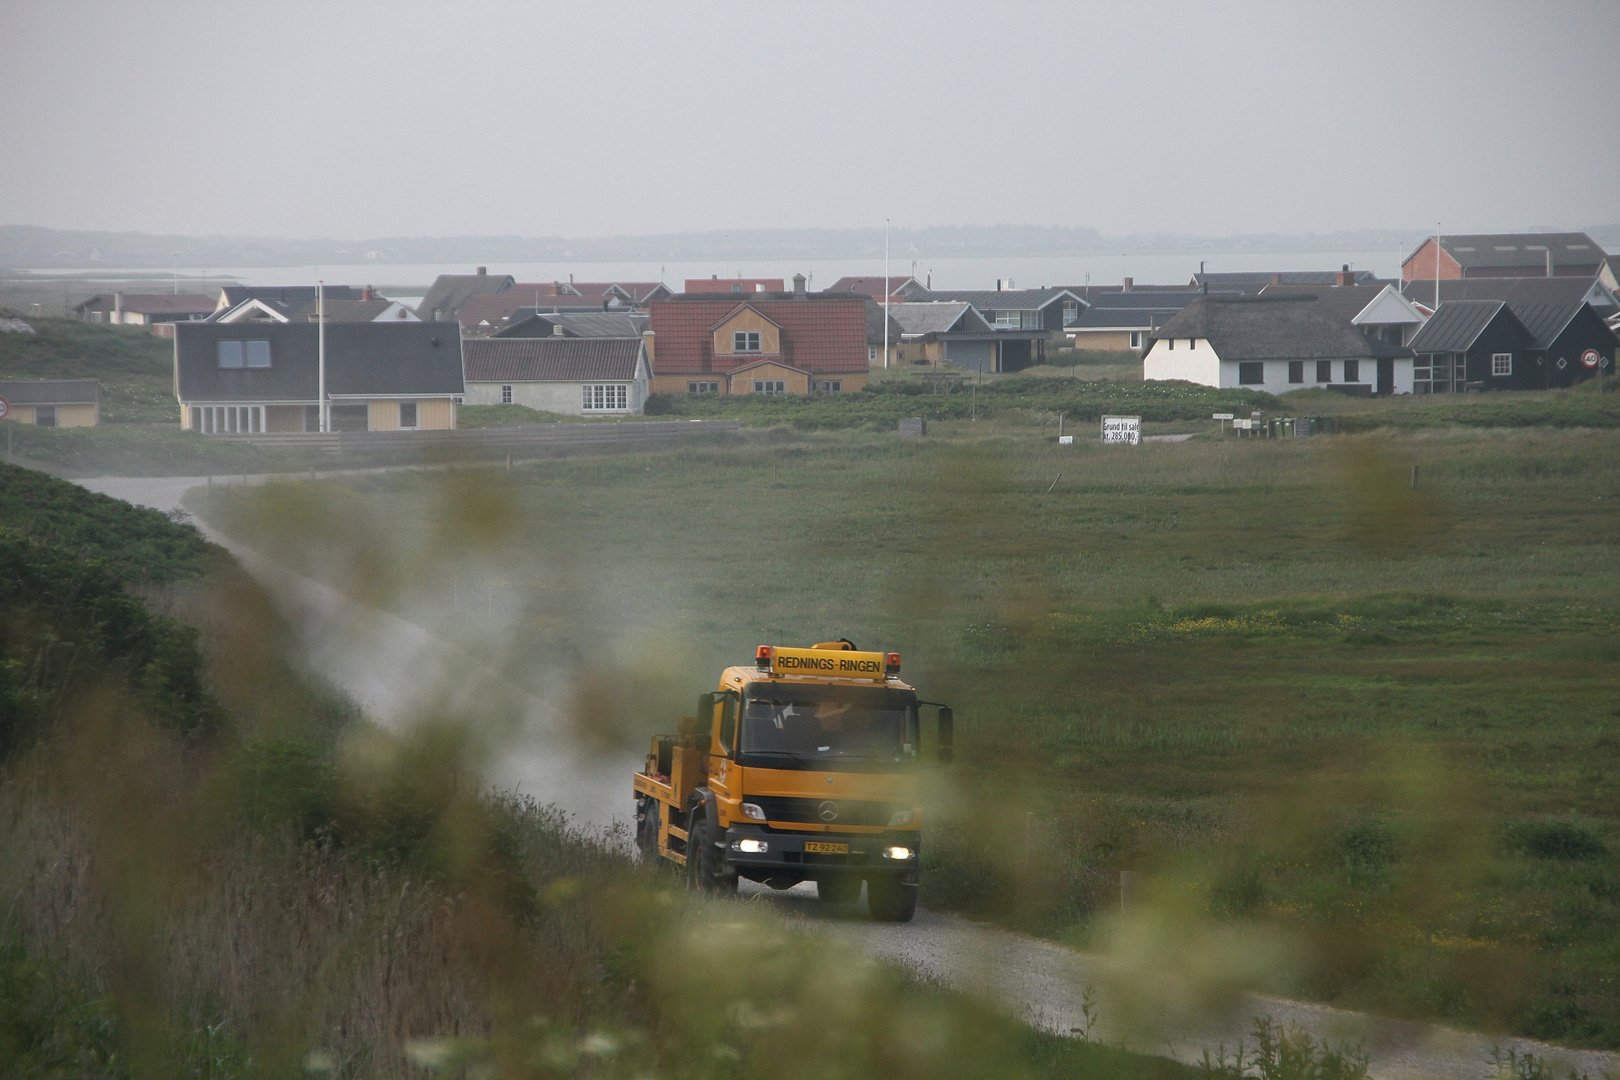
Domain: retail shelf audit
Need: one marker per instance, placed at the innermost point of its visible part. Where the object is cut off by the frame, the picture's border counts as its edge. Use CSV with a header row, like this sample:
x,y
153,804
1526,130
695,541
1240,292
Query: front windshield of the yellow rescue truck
x,y
827,728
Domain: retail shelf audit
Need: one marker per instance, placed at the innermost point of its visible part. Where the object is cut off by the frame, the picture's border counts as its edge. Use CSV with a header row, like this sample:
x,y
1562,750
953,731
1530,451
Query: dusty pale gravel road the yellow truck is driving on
x,y
398,671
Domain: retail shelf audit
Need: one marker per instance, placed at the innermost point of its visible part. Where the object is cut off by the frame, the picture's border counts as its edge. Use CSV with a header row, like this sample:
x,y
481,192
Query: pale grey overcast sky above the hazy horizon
x,y
586,119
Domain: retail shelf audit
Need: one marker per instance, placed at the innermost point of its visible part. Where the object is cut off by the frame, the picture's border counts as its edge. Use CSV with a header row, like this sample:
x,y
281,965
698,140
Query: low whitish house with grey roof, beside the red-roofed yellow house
x,y
579,376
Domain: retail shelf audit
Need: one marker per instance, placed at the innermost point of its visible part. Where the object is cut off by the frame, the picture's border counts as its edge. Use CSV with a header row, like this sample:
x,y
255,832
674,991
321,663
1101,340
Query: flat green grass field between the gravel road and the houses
x,y
1375,728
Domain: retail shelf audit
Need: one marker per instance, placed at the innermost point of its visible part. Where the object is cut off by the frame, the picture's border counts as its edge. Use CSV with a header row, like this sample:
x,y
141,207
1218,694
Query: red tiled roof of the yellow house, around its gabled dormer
x,y
819,334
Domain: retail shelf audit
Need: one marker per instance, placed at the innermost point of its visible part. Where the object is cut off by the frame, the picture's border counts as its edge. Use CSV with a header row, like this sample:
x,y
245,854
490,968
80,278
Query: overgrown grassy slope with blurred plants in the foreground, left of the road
x,y
213,870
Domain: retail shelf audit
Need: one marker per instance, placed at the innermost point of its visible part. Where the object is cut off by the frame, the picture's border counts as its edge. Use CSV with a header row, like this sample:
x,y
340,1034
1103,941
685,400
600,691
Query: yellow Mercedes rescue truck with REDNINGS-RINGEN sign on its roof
x,y
799,768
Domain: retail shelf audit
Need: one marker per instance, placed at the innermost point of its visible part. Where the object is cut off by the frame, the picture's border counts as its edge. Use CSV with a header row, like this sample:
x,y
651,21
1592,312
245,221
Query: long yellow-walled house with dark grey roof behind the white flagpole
x,y
254,378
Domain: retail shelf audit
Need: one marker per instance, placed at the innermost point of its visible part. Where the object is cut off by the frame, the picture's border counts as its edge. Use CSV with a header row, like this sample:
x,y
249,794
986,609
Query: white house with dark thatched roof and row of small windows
x,y
1276,344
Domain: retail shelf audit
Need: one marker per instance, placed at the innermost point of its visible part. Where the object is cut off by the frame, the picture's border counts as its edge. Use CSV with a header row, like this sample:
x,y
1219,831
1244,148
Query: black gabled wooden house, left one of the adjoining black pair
x,y
1472,346
